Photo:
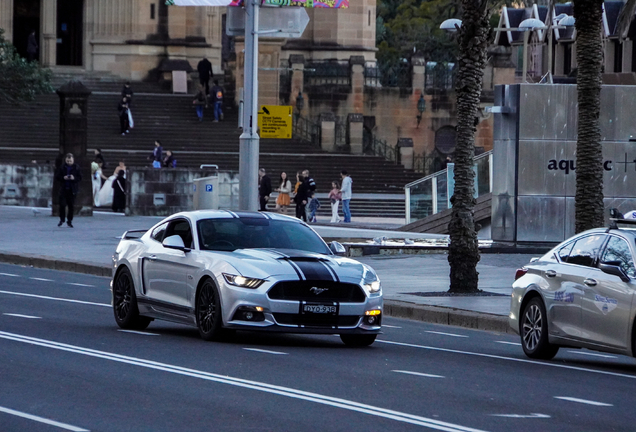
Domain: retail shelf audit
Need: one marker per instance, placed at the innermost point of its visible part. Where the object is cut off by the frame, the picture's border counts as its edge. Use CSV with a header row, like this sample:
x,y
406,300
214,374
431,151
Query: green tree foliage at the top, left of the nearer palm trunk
x,y
405,27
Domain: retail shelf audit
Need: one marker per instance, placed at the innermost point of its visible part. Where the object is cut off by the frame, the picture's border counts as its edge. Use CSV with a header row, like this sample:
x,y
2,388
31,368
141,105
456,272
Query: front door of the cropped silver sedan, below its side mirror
x,y
607,300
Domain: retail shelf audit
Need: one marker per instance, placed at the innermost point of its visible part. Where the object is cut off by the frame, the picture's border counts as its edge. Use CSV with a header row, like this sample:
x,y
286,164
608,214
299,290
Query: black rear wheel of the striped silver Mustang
x,y
125,303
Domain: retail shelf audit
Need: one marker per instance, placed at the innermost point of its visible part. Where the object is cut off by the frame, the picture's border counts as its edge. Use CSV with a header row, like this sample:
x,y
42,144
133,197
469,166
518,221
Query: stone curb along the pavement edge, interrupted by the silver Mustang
x,y
392,308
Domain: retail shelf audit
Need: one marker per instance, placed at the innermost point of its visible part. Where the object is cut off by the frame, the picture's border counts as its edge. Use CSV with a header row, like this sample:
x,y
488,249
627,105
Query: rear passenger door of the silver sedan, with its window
x,y
566,280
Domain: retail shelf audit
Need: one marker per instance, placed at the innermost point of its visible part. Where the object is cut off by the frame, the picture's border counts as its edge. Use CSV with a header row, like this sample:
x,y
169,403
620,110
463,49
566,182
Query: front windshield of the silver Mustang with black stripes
x,y
256,233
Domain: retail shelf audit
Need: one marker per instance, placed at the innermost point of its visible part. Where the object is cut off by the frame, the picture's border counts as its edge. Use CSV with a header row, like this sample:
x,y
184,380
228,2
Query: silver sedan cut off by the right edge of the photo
x,y
580,294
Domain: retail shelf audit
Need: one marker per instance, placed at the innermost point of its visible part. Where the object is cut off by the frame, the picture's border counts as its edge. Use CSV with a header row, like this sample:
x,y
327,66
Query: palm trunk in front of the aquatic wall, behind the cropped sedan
x,y
589,156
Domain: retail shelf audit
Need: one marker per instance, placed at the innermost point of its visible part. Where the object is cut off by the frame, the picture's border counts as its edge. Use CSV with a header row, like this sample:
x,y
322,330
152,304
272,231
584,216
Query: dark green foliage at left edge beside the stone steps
x,y
20,80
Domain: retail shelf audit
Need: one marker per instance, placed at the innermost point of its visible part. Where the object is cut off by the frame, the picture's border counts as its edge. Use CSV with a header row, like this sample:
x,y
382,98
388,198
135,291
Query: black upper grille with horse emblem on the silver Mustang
x,y
327,291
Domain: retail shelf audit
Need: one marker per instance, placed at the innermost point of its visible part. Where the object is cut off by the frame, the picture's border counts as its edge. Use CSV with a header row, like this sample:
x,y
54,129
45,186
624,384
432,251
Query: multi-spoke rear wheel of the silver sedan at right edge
x,y
534,331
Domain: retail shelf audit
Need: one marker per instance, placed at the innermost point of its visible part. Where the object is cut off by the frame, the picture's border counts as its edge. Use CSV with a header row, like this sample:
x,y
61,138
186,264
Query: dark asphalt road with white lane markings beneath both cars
x,y
64,365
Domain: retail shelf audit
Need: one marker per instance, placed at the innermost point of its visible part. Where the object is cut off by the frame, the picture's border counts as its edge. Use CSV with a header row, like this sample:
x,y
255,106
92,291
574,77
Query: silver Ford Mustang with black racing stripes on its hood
x,y
222,271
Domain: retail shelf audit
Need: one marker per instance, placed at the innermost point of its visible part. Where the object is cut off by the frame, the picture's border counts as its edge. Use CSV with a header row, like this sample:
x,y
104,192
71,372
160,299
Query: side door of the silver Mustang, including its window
x,y
165,270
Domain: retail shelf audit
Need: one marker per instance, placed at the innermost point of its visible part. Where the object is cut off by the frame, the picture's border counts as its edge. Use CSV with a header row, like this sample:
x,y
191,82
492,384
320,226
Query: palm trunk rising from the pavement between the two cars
x,y
463,253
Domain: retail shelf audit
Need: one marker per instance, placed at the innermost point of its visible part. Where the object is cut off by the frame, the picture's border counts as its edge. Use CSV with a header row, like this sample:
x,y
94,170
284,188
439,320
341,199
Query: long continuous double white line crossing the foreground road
x,y
247,384
